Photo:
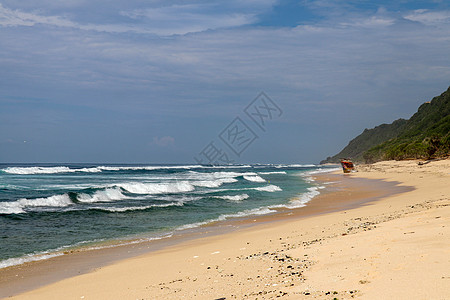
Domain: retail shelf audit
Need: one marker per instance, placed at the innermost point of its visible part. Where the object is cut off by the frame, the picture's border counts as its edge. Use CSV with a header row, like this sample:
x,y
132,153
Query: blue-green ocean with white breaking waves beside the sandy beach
x,y
47,209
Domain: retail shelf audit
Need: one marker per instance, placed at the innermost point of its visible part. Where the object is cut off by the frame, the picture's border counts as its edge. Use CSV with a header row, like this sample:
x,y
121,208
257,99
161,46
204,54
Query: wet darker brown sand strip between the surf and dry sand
x,y
28,276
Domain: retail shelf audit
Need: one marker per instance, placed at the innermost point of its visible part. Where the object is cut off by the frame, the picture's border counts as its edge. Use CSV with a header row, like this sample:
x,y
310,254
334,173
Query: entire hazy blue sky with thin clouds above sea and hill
x,y
256,81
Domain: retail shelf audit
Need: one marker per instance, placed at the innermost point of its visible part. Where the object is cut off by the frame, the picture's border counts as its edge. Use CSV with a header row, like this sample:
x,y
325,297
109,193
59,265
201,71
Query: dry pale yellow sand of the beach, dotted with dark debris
x,y
395,248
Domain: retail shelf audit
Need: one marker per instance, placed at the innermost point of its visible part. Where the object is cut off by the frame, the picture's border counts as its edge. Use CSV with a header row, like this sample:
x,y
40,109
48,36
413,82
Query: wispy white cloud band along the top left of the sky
x,y
162,20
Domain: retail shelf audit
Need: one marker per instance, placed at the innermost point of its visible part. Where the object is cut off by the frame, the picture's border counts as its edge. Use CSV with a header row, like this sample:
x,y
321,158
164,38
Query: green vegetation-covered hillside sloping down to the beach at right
x,y
425,135
